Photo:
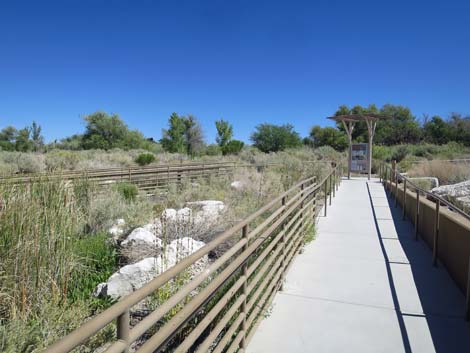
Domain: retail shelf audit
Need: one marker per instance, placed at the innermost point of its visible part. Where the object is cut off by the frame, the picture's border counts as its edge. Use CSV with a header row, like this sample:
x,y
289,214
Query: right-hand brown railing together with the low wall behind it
x,y
424,216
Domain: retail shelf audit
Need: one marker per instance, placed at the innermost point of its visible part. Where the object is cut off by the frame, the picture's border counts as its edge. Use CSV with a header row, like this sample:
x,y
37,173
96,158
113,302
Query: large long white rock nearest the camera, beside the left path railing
x,y
132,277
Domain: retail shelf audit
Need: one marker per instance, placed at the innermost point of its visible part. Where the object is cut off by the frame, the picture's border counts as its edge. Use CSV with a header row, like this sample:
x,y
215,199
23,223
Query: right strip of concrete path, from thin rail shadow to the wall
x,y
428,304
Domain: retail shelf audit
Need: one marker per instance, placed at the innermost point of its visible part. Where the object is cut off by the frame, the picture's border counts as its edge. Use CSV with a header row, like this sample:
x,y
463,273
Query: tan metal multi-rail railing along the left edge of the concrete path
x,y
231,294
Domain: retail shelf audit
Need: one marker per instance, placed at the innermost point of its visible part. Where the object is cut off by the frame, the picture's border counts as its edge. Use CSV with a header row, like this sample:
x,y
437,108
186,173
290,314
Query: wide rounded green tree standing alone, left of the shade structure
x,y
273,138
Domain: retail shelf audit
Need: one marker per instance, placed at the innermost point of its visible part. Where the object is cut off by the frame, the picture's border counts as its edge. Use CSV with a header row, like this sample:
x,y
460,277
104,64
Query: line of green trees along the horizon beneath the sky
x,y
184,134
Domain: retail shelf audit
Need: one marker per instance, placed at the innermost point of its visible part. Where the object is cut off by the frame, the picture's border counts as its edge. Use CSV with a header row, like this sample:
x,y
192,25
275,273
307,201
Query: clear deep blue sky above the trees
x,y
246,61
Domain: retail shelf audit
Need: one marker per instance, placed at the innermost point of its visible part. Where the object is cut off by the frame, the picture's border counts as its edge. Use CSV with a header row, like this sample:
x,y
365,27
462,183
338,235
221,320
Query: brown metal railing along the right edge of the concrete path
x,y
391,177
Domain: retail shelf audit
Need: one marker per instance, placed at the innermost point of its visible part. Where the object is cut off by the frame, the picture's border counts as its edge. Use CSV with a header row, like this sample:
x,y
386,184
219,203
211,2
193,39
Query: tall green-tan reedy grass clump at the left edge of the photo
x,y
37,226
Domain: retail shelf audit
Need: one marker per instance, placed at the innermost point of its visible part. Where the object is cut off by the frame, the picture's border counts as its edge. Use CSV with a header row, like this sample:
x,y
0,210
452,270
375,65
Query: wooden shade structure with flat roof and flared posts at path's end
x,y
348,122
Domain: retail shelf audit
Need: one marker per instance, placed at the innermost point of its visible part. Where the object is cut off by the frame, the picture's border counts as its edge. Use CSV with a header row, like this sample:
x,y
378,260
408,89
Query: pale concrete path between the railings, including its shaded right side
x,y
365,285
